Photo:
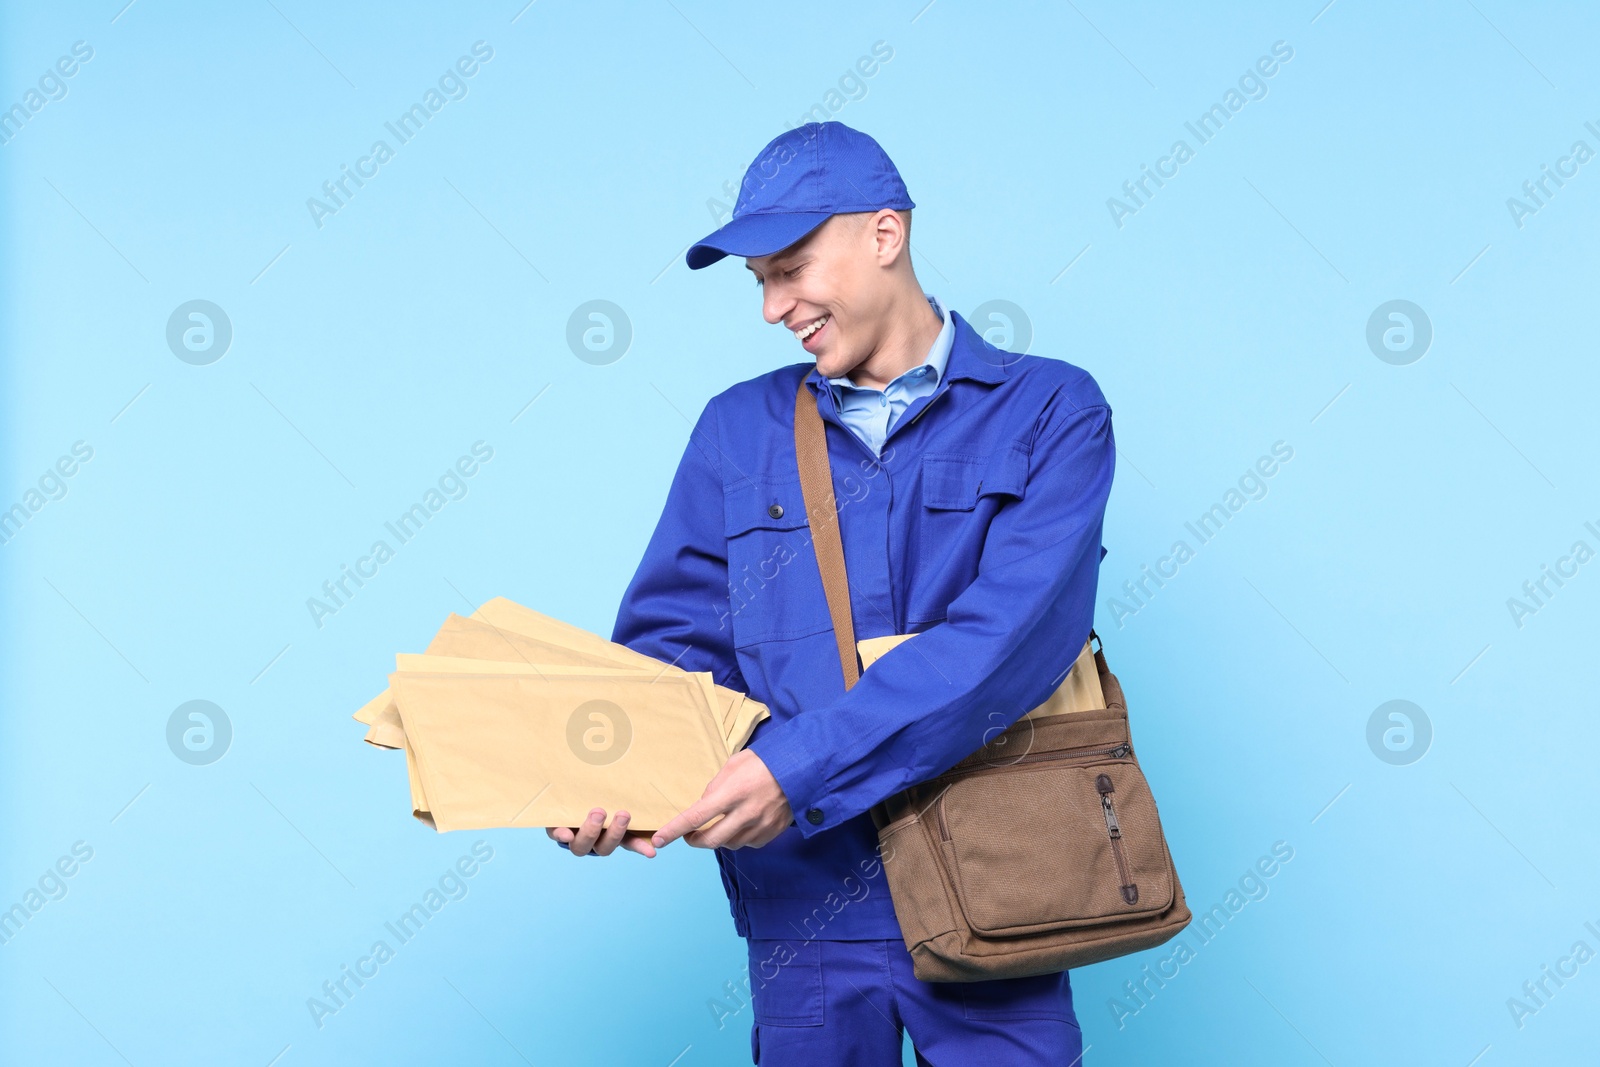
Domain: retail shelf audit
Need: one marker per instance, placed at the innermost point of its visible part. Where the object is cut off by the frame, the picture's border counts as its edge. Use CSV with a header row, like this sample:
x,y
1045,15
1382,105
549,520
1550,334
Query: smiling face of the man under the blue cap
x,y
830,290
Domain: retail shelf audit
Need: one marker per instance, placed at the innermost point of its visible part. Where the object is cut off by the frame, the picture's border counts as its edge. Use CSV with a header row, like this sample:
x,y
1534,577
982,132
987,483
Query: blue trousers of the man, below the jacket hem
x,y
849,1004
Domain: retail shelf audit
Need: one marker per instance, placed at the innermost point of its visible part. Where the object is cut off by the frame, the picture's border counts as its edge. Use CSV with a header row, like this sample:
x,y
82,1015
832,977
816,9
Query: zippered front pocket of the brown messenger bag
x,y
1054,842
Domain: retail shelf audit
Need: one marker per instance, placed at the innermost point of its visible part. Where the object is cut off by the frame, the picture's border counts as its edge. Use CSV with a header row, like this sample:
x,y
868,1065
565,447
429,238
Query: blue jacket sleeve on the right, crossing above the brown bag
x,y
1007,641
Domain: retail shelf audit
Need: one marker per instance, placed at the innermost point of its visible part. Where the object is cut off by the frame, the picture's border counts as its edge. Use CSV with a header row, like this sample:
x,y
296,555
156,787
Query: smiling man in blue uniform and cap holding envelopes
x,y
972,487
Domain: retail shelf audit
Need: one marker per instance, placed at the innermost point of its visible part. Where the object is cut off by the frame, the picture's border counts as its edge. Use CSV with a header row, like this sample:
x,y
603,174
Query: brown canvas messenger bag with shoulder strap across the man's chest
x,y
1038,853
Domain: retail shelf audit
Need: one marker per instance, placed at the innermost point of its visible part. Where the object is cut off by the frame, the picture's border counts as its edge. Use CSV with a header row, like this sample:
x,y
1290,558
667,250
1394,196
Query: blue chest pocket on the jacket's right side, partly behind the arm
x,y
961,495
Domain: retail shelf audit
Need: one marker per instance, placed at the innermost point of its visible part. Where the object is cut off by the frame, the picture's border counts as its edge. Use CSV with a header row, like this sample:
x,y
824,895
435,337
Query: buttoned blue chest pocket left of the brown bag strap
x,y
774,588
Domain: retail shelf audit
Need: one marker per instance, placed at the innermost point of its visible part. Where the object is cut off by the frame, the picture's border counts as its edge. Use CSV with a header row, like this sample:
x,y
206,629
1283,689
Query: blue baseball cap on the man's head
x,y
799,182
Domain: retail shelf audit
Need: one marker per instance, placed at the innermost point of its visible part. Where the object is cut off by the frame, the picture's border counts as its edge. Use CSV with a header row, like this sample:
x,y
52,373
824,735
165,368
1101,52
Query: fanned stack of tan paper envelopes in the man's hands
x,y
513,719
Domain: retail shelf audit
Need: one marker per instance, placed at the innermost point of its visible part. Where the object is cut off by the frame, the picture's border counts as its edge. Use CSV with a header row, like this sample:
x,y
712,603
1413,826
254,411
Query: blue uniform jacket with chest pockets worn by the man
x,y
978,530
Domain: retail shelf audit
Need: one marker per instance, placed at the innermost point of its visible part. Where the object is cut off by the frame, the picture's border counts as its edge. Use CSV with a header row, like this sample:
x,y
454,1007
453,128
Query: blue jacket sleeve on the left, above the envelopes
x,y
676,605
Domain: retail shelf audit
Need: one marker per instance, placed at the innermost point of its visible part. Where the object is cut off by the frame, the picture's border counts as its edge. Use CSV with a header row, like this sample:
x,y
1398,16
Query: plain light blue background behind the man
x,y
426,316
